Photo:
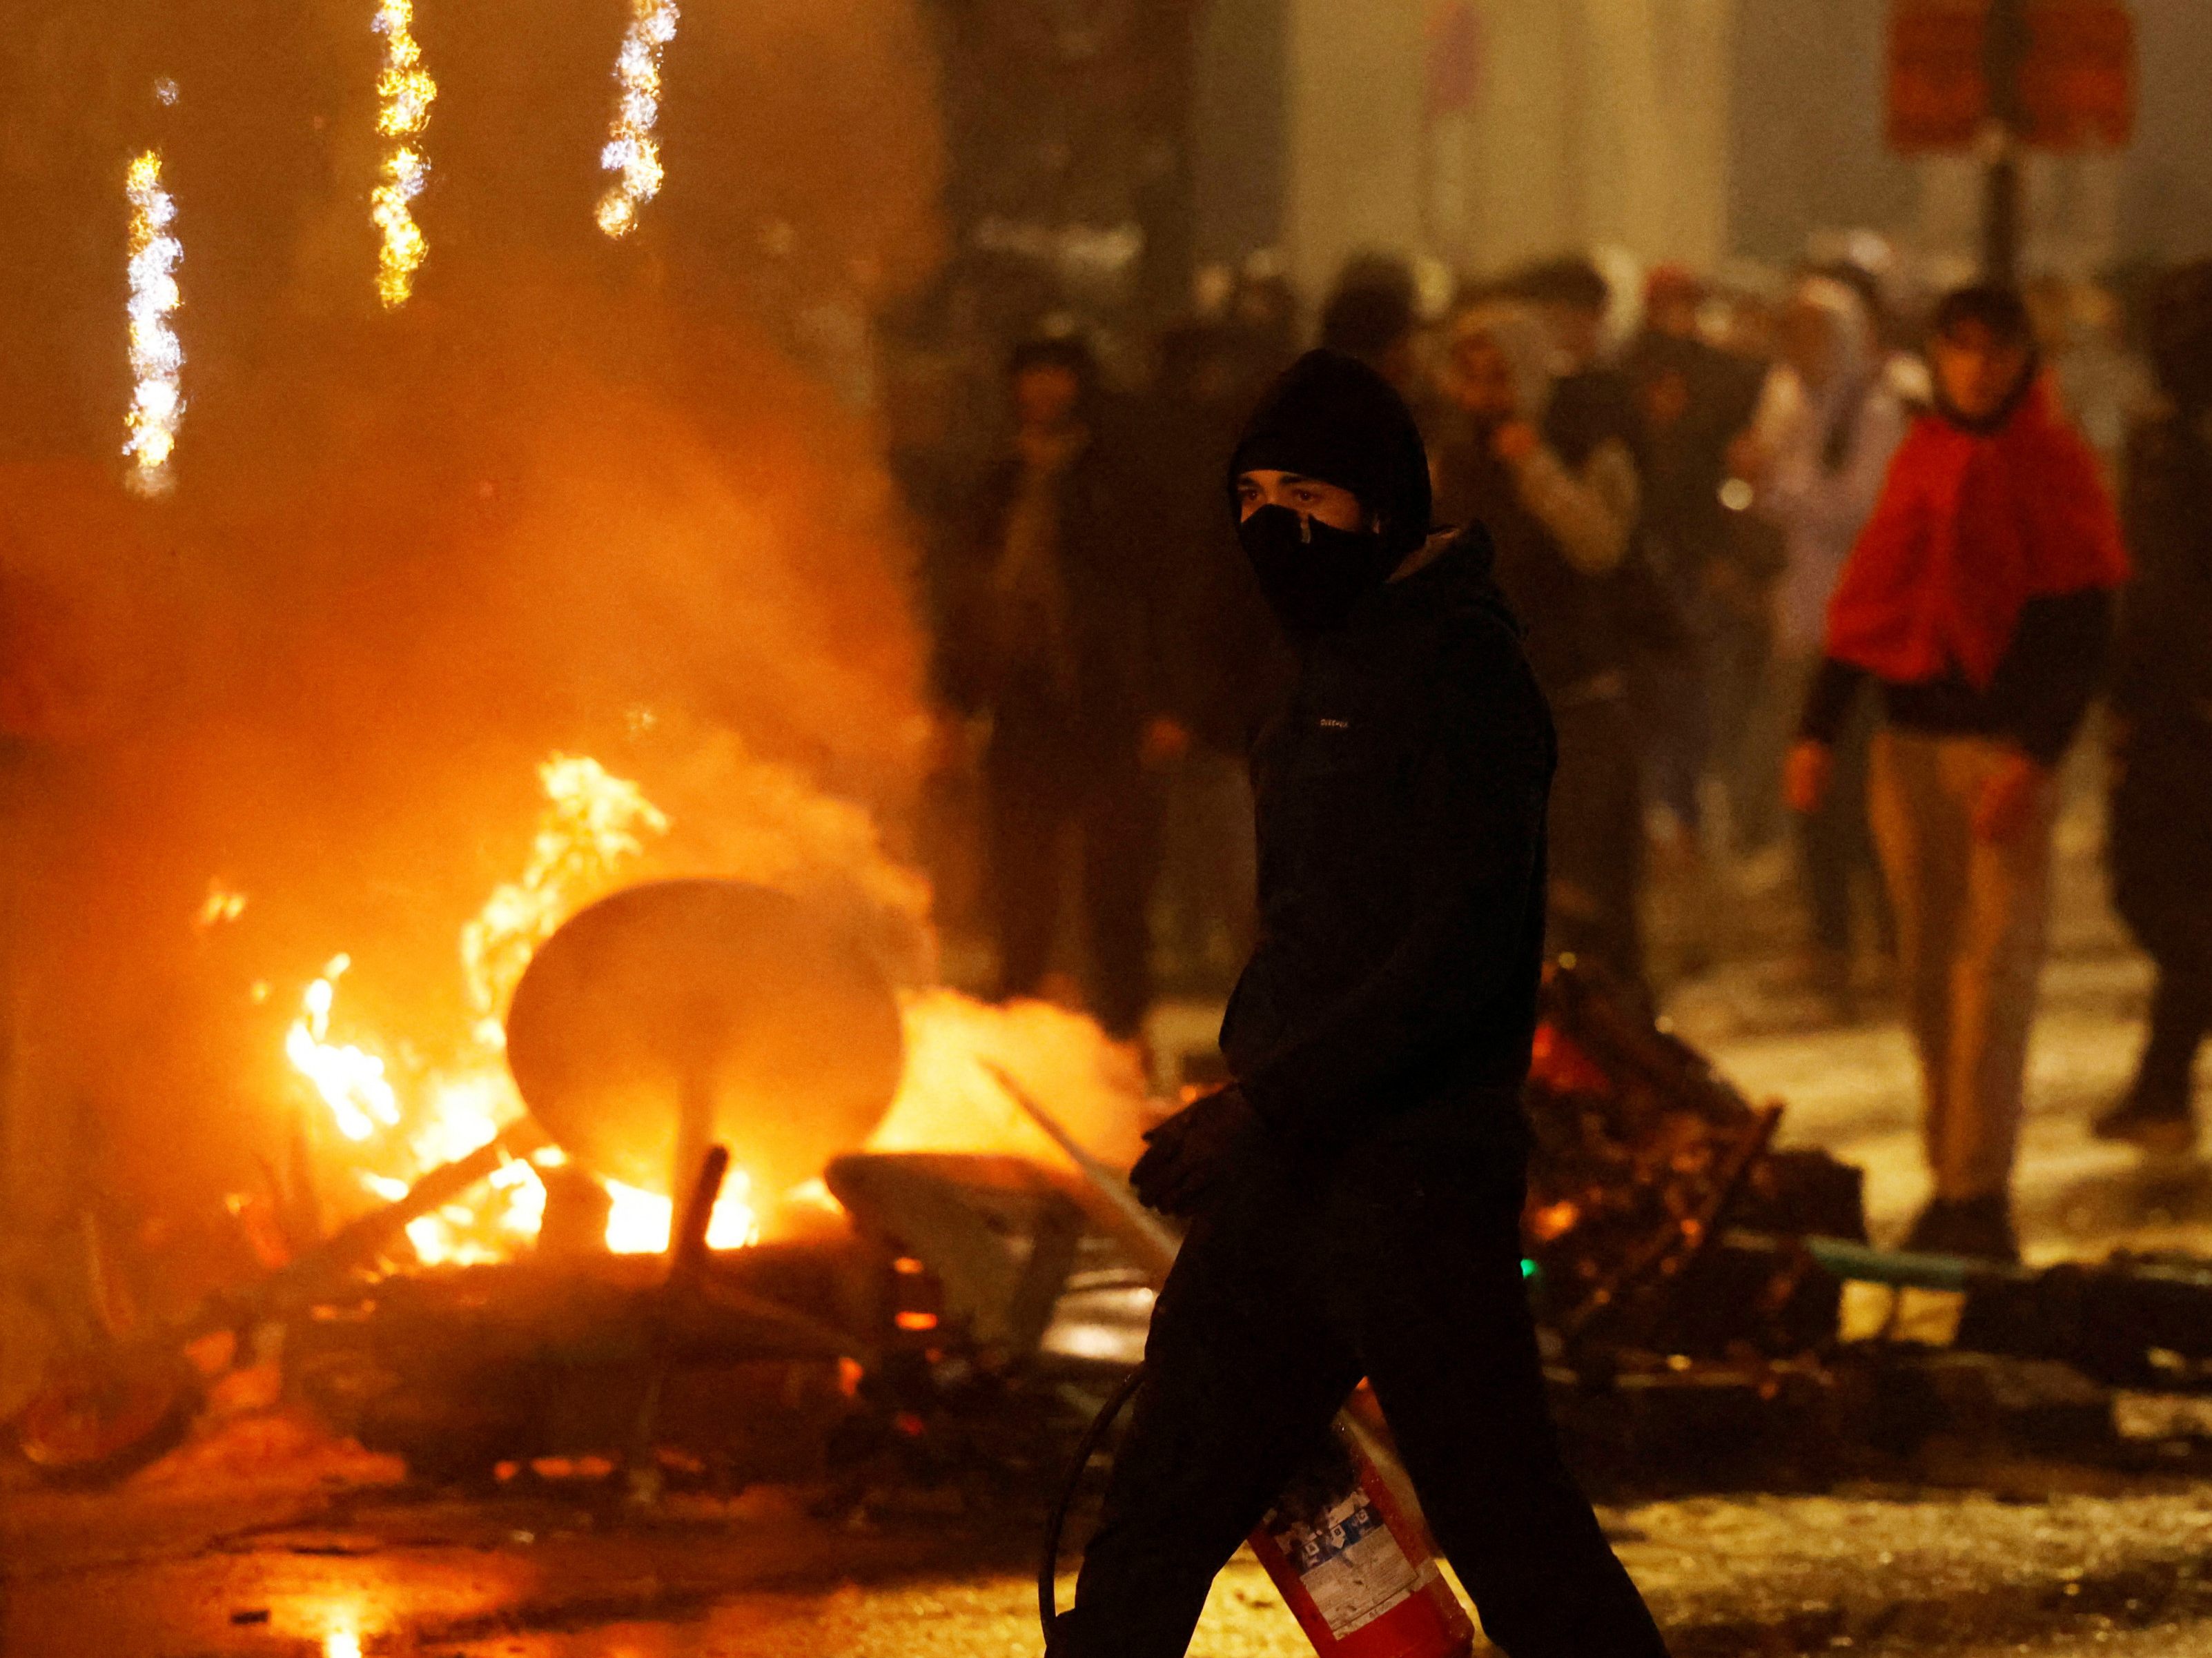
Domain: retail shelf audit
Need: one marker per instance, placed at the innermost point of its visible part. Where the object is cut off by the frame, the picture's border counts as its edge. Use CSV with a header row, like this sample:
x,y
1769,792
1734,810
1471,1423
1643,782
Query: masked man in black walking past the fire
x,y
1355,1195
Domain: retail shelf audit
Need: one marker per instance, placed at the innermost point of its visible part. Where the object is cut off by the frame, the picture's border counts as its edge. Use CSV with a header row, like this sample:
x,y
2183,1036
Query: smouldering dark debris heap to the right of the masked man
x,y
1691,1279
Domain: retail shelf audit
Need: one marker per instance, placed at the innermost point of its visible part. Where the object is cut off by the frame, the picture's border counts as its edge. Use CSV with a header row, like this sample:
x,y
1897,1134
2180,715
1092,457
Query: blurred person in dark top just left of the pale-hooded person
x,y
1693,399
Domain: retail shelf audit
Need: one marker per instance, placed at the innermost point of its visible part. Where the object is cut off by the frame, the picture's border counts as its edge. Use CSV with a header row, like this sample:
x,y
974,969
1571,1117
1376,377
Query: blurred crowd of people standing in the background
x,y
1713,510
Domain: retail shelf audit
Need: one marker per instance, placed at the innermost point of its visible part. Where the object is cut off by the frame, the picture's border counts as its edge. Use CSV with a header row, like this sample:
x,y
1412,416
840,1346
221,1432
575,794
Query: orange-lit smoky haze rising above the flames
x,y
576,499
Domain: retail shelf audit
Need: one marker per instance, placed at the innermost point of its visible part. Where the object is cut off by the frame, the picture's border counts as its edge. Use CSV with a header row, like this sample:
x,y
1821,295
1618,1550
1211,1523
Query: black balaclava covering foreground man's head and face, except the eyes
x,y
1337,421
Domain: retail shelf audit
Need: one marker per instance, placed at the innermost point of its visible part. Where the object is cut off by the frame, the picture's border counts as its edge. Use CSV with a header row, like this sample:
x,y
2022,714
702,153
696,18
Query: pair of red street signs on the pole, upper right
x,y
2076,76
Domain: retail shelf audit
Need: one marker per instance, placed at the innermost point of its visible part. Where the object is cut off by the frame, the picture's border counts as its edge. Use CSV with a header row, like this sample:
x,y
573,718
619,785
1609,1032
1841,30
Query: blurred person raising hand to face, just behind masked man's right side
x,y
1561,534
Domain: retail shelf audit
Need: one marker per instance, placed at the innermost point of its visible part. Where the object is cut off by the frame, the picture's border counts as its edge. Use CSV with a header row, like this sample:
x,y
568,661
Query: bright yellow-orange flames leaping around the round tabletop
x,y
592,832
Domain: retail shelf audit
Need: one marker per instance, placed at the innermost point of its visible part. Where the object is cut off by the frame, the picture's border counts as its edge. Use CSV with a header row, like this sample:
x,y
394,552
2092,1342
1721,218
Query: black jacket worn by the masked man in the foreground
x,y
1401,863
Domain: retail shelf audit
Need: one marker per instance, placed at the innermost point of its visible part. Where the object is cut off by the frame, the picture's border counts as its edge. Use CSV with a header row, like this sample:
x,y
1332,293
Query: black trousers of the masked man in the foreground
x,y
1397,1259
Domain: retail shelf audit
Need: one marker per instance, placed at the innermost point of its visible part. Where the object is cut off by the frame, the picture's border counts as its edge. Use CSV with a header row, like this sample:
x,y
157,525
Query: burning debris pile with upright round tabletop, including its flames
x,y
651,1031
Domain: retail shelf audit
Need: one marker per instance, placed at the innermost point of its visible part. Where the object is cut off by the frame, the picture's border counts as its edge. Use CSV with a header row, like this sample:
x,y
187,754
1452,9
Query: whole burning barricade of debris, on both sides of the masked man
x,y
831,1305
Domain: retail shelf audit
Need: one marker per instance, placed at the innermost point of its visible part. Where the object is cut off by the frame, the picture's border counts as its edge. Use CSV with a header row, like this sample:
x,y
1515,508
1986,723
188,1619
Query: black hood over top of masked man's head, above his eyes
x,y
1335,419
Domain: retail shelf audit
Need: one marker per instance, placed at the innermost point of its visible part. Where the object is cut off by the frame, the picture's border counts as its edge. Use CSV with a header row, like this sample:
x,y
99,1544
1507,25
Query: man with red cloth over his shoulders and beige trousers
x,y
1981,602
